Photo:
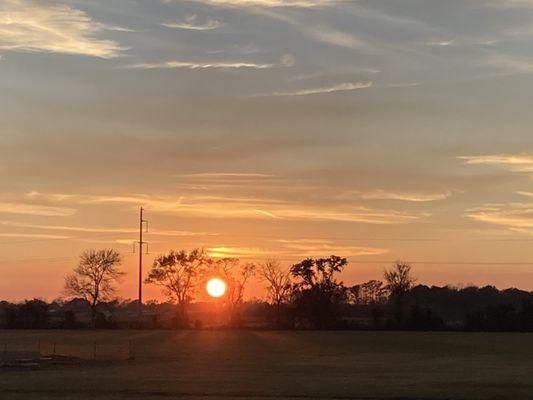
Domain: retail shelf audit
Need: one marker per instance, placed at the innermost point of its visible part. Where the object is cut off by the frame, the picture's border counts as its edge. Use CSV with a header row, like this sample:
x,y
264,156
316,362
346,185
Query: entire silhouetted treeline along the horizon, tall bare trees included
x,y
306,295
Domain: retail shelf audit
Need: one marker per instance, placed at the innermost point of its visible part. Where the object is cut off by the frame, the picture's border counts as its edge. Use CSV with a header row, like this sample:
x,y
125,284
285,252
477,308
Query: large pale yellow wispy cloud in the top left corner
x,y
27,25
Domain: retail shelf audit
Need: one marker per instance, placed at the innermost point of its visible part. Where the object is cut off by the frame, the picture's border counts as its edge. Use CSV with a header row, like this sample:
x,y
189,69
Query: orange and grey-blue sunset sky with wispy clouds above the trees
x,y
376,130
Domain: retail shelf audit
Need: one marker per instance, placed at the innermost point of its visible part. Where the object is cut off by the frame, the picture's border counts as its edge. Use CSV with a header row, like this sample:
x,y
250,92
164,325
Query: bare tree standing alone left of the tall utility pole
x,y
95,277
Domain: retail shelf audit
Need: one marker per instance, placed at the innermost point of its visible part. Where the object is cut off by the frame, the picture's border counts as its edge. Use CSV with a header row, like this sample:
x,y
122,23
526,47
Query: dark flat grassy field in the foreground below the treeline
x,y
264,365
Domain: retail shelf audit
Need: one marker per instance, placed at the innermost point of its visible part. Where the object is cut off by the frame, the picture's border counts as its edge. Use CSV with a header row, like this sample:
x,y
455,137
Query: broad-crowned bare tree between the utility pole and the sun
x,y
177,273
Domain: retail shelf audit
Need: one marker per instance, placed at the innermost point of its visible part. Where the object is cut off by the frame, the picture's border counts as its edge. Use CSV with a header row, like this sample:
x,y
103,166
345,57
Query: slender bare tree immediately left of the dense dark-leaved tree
x,y
278,282
